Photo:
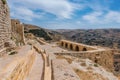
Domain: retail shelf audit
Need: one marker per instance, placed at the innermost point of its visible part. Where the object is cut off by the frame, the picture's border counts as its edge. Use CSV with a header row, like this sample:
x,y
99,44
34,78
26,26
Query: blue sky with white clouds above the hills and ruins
x,y
67,14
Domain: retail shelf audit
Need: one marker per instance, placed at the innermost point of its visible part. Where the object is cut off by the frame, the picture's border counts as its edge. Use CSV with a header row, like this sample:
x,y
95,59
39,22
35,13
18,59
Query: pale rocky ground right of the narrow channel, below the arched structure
x,y
85,69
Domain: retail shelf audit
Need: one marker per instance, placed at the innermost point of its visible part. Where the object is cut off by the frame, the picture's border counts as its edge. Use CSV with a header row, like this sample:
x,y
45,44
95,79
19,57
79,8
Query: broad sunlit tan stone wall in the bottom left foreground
x,y
17,67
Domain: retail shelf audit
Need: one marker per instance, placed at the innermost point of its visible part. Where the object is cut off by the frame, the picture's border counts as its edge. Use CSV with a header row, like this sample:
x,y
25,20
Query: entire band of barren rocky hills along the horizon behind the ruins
x,y
100,37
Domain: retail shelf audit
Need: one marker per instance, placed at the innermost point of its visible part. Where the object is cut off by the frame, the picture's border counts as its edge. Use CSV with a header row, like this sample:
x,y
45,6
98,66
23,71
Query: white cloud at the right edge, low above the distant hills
x,y
102,17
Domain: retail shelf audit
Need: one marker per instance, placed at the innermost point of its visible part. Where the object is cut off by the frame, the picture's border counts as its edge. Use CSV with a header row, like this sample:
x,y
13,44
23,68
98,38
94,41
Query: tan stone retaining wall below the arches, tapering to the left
x,y
102,57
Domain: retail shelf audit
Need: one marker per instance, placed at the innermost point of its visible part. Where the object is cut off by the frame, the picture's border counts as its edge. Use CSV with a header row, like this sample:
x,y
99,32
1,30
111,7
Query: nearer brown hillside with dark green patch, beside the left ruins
x,y
41,32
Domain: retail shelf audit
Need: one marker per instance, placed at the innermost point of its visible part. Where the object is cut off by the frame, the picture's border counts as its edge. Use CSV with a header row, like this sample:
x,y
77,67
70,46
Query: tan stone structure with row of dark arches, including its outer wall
x,y
104,57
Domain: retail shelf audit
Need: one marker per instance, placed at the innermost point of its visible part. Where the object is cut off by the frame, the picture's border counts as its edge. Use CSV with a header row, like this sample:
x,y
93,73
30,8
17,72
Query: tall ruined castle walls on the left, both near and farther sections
x,y
9,29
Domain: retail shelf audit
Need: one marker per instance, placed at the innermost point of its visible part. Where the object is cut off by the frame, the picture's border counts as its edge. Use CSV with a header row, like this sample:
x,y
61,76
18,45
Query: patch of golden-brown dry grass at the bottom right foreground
x,y
89,75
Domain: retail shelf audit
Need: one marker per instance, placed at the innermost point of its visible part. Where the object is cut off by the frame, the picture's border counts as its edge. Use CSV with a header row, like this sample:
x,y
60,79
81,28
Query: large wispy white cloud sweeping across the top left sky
x,y
59,8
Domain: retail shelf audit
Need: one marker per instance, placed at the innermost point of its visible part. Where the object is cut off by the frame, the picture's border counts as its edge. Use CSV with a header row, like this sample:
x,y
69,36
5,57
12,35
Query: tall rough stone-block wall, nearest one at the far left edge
x,y
5,24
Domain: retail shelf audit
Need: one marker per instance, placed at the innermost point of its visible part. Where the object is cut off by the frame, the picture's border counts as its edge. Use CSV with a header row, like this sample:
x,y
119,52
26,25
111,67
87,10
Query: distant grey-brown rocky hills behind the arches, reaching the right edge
x,y
100,37
